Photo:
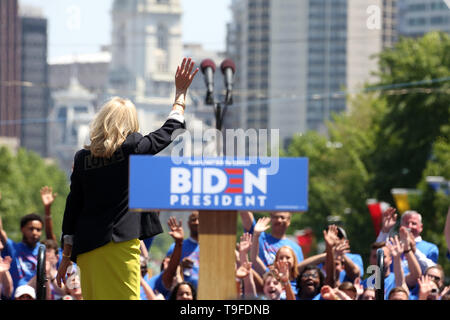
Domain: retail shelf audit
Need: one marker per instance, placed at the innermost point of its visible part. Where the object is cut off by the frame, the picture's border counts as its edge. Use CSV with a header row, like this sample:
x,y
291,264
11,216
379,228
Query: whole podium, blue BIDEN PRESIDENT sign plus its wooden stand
x,y
157,183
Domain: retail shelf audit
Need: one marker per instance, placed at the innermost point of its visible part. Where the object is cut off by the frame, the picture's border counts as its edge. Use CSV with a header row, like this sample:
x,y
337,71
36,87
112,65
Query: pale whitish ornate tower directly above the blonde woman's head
x,y
146,50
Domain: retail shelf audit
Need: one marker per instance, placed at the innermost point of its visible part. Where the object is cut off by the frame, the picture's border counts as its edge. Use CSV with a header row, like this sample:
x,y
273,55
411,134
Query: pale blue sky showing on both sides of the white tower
x,y
82,26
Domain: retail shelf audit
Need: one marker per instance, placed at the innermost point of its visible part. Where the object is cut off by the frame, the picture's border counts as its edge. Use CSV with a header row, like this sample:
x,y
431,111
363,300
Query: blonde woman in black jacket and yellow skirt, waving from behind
x,y
98,232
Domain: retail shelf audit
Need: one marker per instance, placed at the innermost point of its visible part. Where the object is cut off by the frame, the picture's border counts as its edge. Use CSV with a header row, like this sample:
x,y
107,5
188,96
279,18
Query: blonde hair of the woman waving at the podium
x,y
114,122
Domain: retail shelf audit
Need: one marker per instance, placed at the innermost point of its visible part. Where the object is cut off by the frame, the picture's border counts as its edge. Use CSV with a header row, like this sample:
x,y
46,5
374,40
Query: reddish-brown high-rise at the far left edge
x,y
10,86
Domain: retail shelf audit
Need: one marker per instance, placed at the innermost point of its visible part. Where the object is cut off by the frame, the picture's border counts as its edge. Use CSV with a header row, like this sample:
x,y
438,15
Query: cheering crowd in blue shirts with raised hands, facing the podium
x,y
269,266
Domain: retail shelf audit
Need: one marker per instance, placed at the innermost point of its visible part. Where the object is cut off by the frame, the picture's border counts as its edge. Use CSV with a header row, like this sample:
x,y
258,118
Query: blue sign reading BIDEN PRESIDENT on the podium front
x,y
160,183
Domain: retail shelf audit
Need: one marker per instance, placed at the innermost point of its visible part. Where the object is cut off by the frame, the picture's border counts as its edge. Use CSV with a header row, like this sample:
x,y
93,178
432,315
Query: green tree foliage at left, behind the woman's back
x,y
22,177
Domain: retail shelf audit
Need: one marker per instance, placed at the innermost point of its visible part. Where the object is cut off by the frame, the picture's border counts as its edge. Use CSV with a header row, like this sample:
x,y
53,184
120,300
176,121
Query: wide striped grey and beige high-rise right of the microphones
x,y
295,59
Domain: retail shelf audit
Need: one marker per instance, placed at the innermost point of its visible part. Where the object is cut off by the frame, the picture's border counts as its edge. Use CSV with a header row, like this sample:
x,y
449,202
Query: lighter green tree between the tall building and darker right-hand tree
x,y
338,174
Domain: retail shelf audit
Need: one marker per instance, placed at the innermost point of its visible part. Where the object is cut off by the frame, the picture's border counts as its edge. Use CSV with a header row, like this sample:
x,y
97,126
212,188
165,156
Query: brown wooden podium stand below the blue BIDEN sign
x,y
217,240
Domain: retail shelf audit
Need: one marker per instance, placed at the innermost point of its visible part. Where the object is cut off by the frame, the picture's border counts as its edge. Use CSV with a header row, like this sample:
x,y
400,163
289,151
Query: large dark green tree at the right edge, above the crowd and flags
x,y
417,71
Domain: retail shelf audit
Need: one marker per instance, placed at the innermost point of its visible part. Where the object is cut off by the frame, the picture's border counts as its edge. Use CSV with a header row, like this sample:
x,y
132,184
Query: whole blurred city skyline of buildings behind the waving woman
x,y
297,62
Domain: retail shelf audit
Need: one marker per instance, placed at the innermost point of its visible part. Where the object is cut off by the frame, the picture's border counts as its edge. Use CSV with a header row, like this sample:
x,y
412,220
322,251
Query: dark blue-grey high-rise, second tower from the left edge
x,y
35,98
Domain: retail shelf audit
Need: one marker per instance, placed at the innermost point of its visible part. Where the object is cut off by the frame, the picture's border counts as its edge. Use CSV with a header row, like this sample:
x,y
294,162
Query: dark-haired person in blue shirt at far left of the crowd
x,y
24,253
